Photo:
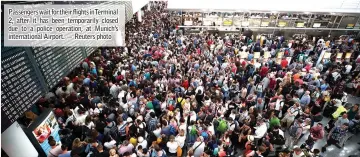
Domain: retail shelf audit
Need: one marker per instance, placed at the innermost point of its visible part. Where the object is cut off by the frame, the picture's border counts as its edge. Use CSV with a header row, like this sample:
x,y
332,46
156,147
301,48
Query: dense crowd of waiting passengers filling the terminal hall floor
x,y
171,94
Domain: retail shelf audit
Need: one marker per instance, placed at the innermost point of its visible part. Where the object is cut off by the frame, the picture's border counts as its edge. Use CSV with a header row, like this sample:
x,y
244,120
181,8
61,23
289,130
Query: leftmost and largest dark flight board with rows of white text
x,y
20,84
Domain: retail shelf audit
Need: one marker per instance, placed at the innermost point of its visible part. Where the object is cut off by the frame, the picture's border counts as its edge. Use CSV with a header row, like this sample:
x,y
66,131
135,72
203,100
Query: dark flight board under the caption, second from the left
x,y
56,62
